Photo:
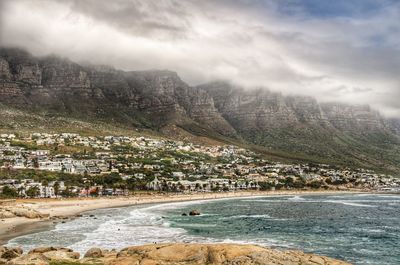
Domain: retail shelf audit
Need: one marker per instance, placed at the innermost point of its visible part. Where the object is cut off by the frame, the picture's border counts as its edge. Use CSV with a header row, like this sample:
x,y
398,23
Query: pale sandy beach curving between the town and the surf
x,y
67,209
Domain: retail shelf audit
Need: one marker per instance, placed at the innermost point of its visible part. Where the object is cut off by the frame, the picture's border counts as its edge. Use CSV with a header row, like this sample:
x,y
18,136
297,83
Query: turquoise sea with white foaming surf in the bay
x,y
363,229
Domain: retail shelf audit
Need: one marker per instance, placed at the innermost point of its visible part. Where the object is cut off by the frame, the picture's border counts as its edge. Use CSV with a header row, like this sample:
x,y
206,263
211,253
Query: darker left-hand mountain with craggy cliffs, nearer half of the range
x,y
149,98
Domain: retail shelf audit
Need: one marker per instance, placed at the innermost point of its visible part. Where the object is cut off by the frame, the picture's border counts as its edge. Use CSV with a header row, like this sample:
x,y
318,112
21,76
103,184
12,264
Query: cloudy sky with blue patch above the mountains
x,y
342,50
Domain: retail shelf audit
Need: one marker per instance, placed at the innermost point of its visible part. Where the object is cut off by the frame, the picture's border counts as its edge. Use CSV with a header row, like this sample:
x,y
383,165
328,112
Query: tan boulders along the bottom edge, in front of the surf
x,y
171,254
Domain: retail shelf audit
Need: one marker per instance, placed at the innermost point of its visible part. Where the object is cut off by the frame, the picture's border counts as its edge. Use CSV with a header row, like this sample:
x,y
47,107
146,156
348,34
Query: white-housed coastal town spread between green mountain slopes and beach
x,y
43,165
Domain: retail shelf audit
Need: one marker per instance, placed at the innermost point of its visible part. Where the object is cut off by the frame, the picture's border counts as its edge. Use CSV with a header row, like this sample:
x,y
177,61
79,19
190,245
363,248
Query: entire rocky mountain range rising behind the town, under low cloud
x,y
291,127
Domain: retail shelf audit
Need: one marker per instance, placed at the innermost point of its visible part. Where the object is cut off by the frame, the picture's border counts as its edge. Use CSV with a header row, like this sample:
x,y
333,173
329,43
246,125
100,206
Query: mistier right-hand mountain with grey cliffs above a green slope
x,y
297,126
